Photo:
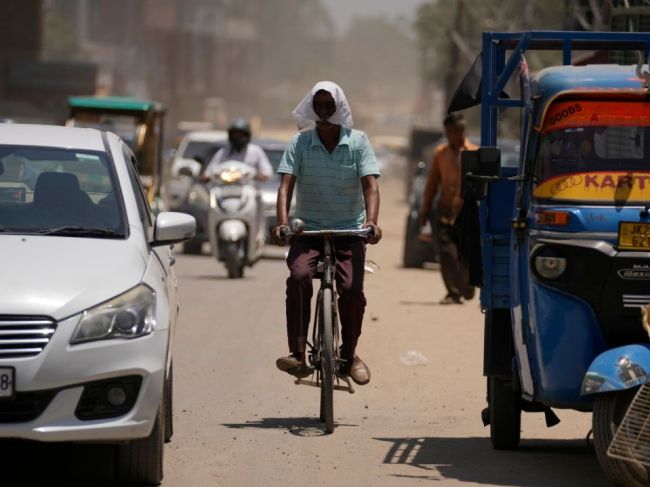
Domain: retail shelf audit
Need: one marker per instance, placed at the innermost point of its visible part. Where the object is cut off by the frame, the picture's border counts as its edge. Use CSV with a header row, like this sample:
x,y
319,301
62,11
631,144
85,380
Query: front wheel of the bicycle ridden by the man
x,y
328,363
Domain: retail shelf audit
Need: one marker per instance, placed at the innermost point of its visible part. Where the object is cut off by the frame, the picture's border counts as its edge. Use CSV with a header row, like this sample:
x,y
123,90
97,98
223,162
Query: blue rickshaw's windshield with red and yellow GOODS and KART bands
x,y
595,151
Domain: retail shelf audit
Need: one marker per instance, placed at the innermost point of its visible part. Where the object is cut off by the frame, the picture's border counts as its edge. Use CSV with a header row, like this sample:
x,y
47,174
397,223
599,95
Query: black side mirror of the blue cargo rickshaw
x,y
479,167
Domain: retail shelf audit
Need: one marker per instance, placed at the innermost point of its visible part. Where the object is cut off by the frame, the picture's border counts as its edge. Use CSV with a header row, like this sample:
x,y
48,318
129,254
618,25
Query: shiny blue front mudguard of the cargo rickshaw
x,y
618,369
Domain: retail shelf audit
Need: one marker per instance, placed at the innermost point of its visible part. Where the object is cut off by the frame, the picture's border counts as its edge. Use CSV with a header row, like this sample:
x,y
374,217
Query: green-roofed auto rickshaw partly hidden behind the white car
x,y
138,122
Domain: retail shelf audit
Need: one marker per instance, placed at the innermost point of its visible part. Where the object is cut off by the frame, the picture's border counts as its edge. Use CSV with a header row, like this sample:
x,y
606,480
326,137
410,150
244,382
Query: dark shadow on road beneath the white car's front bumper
x,y
56,464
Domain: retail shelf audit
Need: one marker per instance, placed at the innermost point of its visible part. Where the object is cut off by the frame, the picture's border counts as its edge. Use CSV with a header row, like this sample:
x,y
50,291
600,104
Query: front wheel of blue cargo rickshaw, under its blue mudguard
x,y
609,410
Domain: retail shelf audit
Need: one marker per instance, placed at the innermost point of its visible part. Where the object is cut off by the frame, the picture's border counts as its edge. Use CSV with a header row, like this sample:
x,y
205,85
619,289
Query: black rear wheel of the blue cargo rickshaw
x,y
505,414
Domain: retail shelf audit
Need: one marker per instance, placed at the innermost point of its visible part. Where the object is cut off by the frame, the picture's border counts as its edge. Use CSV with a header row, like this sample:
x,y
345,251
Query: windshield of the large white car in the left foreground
x,y
59,191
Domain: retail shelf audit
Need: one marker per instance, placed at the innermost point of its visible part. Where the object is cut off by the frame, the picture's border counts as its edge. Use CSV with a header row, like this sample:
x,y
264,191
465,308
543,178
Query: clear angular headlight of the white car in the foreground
x,y
129,315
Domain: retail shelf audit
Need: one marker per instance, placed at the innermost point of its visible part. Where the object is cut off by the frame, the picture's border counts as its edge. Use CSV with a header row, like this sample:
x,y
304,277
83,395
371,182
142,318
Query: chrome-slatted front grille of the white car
x,y
24,336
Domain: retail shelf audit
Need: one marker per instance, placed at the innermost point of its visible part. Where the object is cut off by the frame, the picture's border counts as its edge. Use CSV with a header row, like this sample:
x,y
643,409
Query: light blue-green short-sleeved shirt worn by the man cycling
x,y
328,186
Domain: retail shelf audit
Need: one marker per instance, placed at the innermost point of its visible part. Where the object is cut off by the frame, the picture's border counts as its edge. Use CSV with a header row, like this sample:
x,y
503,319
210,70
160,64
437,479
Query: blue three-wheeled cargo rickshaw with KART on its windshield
x,y
565,242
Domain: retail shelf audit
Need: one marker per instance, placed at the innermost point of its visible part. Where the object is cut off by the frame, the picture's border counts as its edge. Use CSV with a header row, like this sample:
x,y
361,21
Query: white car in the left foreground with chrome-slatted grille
x,y
88,296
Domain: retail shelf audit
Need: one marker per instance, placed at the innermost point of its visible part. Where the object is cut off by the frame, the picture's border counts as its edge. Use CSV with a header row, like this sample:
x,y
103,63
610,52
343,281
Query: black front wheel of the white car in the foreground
x,y
141,461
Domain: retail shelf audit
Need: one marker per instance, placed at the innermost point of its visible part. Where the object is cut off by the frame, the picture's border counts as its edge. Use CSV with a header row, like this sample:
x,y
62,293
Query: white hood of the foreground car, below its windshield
x,y
62,276
